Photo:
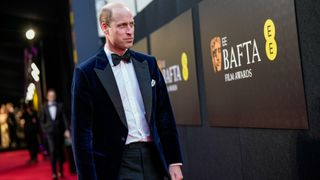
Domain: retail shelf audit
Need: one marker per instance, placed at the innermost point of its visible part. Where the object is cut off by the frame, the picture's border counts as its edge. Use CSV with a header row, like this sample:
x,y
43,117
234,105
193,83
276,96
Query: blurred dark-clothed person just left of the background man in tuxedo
x,y
31,132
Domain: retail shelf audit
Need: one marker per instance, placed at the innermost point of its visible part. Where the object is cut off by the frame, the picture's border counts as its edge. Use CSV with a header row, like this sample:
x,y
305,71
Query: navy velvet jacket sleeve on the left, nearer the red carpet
x,y
81,126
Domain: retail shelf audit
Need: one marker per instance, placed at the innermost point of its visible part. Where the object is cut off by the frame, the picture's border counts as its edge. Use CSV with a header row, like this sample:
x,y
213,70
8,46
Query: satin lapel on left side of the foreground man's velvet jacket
x,y
108,81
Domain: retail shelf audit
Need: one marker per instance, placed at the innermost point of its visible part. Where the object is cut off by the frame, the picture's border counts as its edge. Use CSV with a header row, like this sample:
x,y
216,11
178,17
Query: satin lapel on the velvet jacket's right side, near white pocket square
x,y
143,75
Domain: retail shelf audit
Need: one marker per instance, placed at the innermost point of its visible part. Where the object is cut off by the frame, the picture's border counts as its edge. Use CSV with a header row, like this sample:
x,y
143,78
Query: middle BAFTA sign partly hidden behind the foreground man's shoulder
x,y
173,46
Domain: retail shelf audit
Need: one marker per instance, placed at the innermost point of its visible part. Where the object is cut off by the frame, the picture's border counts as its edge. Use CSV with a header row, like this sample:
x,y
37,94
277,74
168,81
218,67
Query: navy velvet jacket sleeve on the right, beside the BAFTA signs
x,y
166,122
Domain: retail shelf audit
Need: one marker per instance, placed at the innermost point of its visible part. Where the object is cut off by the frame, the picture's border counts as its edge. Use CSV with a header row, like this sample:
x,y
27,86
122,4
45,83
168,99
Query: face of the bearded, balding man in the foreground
x,y
120,32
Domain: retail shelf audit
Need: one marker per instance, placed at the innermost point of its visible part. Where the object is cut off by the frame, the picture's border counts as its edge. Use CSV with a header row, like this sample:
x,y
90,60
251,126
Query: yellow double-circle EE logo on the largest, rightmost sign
x,y
269,31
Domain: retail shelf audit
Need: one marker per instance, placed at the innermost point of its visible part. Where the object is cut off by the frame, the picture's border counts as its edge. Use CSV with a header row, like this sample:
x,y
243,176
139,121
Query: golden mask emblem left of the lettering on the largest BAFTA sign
x,y
216,54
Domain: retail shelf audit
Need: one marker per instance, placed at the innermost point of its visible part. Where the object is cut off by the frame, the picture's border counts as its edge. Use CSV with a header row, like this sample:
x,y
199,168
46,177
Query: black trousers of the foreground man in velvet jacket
x,y
140,161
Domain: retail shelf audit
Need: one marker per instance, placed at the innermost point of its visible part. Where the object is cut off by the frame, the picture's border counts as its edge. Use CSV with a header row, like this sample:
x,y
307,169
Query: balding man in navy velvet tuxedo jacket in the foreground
x,y
122,122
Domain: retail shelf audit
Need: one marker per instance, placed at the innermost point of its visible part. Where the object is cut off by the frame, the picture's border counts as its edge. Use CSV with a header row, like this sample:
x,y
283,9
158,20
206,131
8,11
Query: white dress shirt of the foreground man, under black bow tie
x,y
132,101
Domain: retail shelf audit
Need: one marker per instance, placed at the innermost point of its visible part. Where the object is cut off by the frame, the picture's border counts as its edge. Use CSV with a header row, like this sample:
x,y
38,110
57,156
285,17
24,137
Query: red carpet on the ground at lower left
x,y
13,166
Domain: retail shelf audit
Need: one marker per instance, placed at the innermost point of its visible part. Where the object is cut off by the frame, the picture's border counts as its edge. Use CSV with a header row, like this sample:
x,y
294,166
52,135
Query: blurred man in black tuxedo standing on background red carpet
x,y
54,124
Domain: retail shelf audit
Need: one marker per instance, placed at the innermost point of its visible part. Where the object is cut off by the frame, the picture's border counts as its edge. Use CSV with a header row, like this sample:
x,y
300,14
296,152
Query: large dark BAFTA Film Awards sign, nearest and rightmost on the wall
x,y
252,65
